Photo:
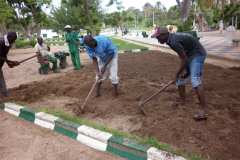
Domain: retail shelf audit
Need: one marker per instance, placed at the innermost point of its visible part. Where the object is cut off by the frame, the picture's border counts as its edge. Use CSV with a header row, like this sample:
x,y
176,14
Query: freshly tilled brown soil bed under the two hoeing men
x,y
141,75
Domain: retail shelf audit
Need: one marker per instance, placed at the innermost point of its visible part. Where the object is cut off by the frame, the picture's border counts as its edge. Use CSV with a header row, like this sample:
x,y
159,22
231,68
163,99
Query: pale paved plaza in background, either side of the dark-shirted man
x,y
215,43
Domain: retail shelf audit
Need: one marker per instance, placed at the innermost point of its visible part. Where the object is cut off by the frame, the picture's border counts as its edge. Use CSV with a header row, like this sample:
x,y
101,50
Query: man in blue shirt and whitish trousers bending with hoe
x,y
105,59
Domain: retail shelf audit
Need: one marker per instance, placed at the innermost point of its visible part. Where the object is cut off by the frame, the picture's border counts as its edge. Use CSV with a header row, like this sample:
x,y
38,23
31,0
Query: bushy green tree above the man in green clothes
x,y
84,14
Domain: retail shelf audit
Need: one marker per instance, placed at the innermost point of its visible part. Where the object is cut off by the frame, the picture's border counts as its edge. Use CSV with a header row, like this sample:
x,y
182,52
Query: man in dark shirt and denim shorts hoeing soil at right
x,y
192,55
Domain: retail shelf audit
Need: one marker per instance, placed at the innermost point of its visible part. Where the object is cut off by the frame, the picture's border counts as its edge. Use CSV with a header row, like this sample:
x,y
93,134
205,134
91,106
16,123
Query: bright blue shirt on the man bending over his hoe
x,y
104,49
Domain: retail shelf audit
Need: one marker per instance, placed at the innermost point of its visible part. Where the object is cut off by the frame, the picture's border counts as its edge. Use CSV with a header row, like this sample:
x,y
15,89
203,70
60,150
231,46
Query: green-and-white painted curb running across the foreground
x,y
91,137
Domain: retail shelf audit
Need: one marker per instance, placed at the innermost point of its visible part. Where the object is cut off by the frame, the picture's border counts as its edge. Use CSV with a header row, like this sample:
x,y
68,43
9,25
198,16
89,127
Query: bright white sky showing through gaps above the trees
x,y
128,3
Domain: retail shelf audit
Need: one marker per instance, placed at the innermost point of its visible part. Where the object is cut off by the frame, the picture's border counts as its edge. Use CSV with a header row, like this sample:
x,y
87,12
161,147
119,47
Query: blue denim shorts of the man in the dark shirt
x,y
195,67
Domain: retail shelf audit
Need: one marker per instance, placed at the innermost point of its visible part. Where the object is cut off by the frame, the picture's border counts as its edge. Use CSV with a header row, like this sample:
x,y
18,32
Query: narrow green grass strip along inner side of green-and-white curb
x,y
146,140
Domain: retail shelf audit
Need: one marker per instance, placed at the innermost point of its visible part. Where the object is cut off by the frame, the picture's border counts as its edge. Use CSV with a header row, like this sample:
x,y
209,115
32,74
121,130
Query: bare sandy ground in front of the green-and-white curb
x,y
22,140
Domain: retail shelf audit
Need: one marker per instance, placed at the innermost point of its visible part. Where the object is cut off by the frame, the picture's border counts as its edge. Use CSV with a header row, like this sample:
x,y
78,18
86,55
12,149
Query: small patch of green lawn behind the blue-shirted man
x,y
123,45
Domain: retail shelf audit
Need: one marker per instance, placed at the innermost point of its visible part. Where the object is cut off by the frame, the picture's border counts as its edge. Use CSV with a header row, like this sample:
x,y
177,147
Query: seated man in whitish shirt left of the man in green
x,y
43,52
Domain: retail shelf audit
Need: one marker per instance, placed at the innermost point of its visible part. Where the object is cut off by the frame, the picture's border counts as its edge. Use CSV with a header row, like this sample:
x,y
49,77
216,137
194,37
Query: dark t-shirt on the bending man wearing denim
x,y
183,42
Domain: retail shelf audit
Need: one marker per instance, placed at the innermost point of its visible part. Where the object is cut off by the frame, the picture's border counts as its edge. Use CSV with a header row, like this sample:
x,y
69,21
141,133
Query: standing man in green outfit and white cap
x,y
73,41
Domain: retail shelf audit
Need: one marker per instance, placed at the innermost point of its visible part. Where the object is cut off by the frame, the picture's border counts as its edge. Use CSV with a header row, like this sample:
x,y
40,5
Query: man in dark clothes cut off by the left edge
x,y
5,44
